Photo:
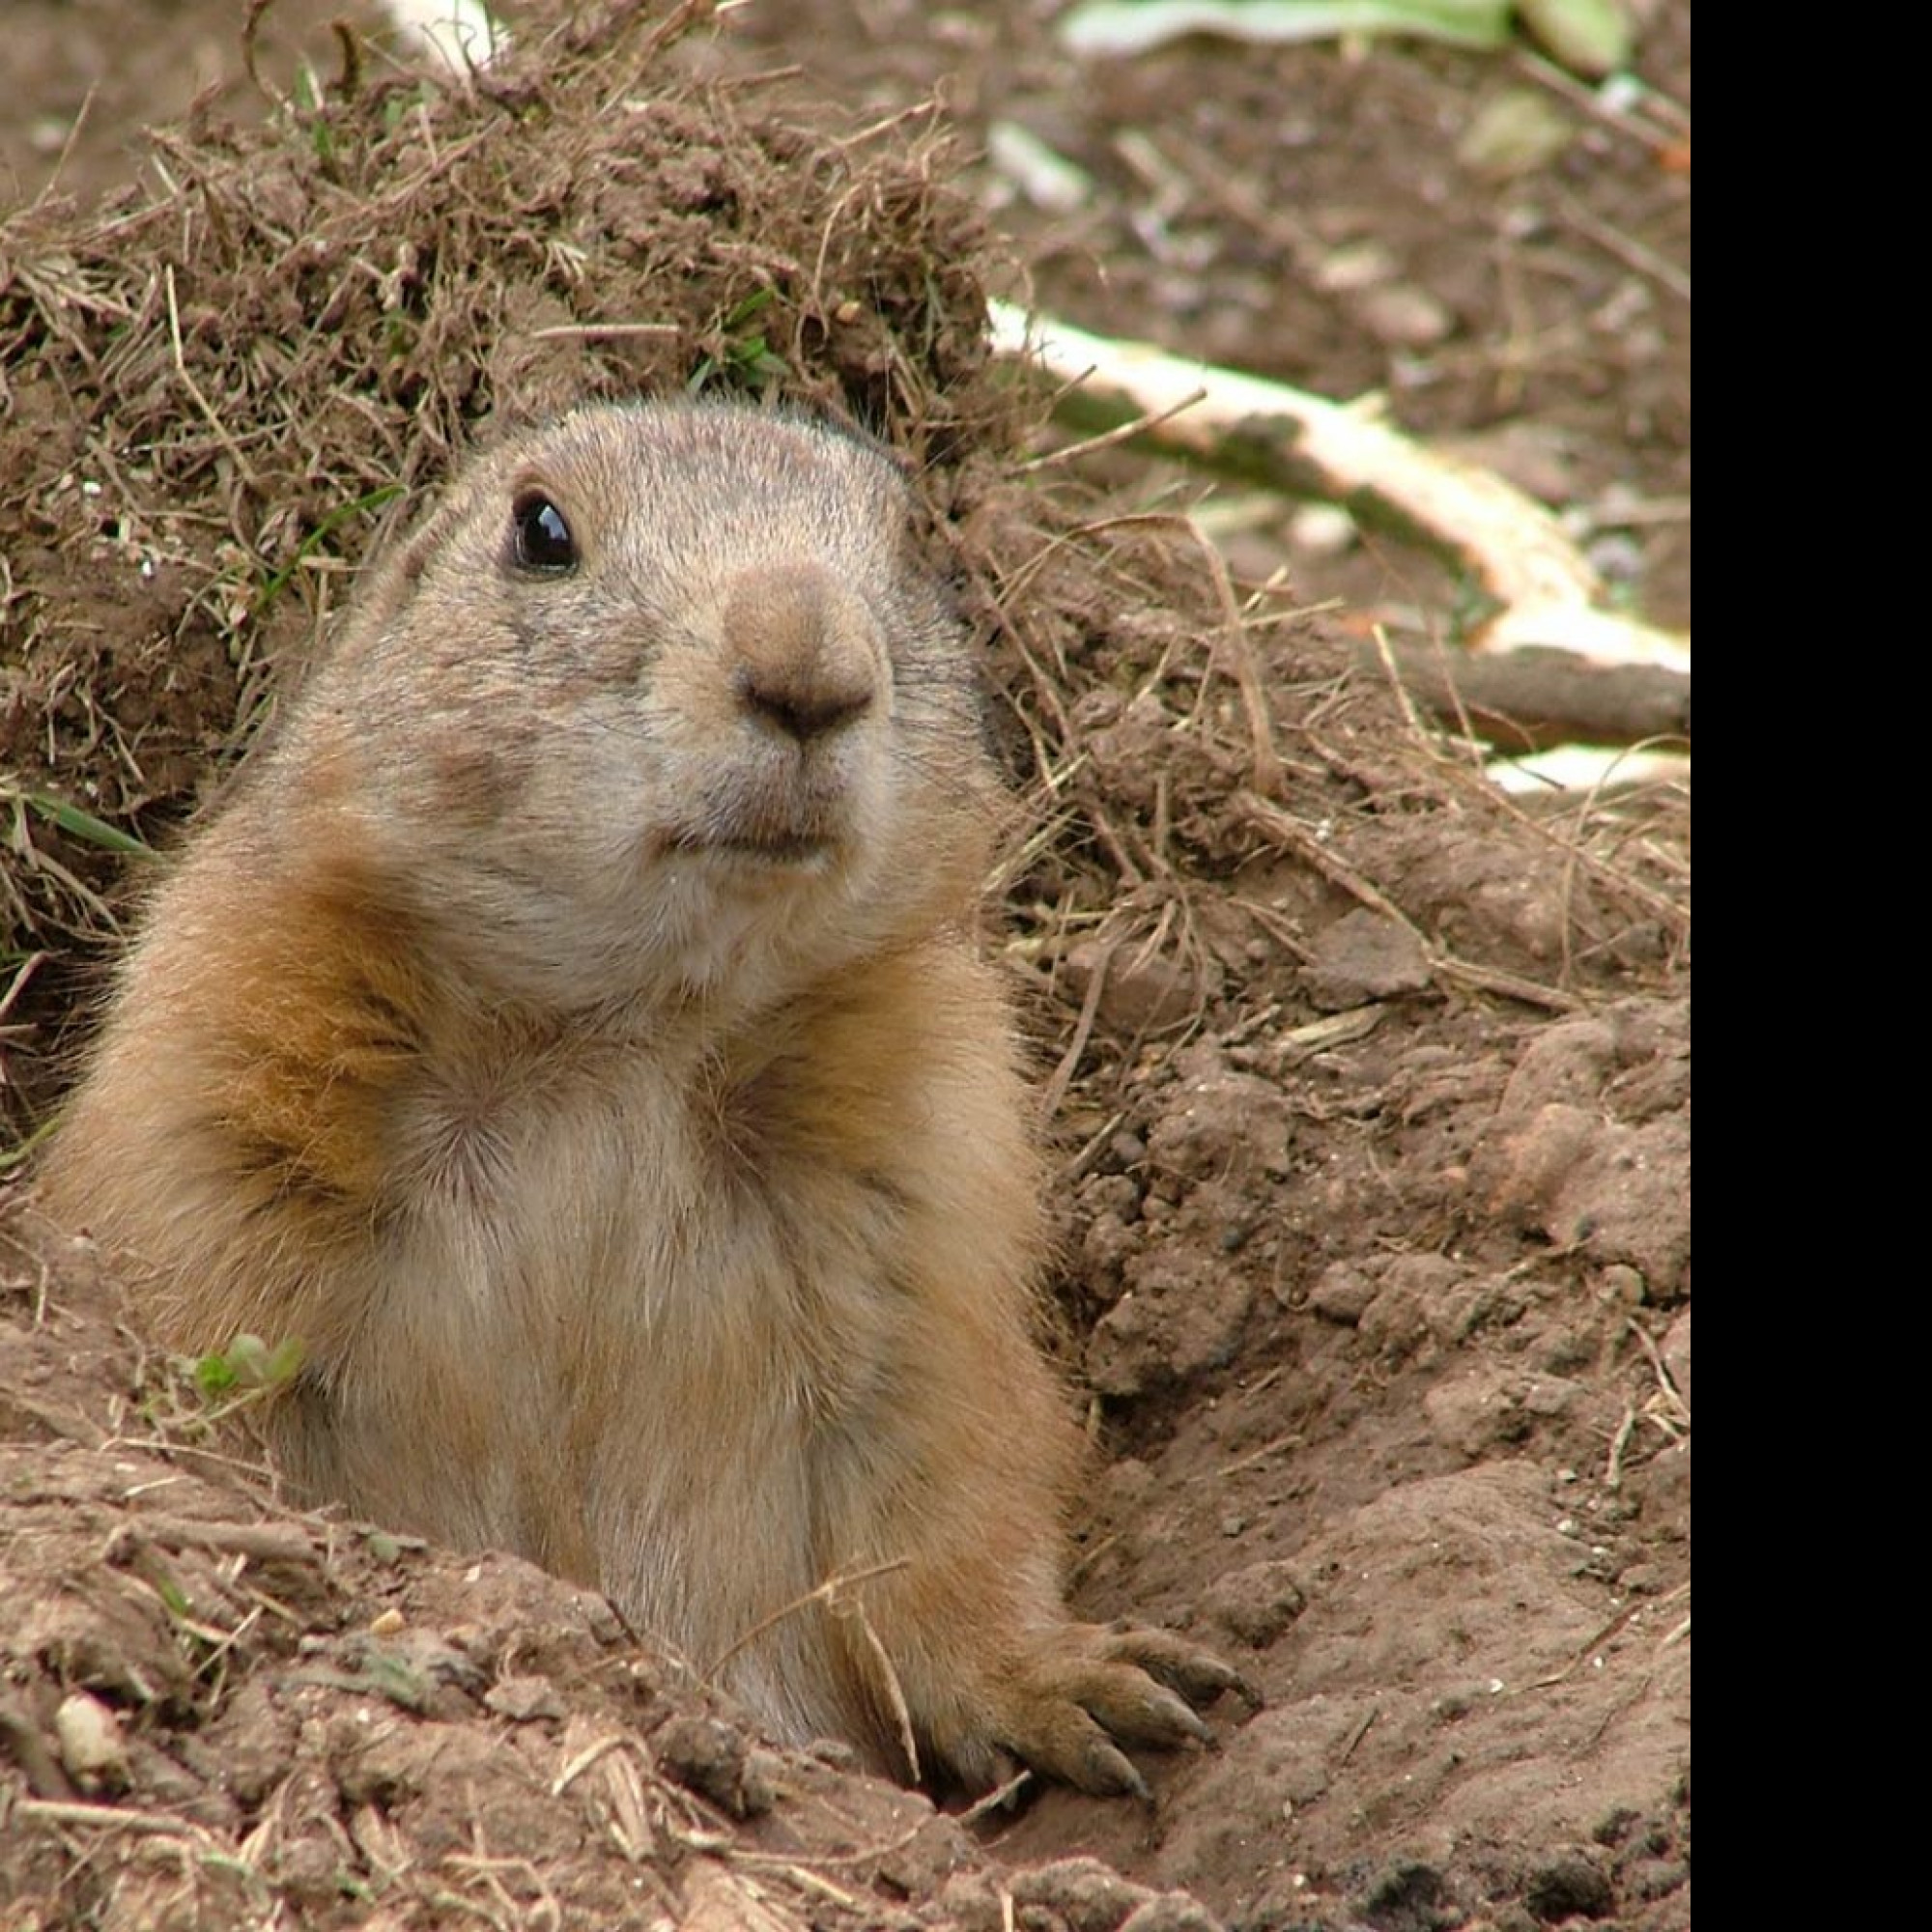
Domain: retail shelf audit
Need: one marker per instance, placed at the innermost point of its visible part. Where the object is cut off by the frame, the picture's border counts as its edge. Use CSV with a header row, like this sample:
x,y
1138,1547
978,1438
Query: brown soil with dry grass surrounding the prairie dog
x,y
1373,1093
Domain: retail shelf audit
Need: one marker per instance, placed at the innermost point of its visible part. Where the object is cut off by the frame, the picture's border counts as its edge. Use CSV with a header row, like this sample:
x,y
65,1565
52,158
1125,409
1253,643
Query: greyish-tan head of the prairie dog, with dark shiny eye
x,y
656,704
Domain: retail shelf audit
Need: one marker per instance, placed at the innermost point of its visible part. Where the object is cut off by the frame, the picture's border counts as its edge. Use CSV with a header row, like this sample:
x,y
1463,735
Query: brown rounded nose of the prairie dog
x,y
801,650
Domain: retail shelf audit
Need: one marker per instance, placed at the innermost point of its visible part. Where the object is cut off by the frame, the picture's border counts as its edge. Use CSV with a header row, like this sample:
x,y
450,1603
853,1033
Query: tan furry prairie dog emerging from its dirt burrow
x,y
573,1035
